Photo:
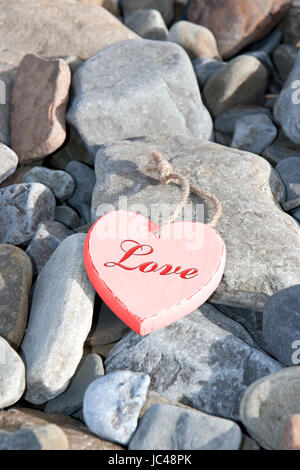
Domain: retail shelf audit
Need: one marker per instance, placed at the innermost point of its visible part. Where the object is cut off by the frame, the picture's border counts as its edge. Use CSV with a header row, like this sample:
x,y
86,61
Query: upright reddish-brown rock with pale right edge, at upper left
x,y
38,107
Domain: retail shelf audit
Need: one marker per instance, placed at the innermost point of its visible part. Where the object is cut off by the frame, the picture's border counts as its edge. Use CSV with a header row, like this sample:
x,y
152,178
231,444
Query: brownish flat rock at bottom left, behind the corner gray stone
x,y
77,434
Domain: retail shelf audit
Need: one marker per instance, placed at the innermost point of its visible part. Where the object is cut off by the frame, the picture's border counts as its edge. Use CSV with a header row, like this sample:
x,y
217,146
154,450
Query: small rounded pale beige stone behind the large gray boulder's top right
x,y
197,41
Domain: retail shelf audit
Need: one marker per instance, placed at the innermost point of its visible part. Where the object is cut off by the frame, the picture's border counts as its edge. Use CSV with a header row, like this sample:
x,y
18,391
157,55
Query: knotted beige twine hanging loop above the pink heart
x,y
159,168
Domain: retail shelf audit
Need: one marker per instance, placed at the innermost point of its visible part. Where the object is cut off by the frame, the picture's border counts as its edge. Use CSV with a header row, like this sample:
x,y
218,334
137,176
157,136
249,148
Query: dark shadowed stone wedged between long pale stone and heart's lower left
x,y
107,328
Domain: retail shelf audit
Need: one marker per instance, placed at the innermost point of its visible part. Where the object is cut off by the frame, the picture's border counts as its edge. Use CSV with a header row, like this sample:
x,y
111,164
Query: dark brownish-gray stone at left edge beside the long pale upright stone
x,y
15,284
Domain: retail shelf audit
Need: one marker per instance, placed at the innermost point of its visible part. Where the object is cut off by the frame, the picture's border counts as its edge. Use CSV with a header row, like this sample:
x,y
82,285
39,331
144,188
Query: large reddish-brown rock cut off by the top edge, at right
x,y
237,23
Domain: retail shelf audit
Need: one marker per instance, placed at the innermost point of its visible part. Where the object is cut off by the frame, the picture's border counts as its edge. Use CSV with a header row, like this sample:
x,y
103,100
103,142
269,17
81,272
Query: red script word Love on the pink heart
x,y
133,248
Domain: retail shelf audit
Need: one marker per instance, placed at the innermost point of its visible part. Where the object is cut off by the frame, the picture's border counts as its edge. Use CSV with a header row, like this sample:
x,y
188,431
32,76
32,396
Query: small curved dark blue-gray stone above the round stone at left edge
x,y
60,182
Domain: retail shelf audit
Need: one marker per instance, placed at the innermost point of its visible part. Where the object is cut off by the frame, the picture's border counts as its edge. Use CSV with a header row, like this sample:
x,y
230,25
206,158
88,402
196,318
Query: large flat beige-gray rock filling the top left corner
x,y
56,29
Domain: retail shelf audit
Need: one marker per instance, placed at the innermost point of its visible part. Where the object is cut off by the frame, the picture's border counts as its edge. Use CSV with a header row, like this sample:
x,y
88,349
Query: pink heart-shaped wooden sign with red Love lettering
x,y
150,278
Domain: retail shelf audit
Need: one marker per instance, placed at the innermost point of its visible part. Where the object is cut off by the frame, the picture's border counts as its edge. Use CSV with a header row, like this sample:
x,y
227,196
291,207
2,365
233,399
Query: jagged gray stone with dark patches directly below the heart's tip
x,y
199,361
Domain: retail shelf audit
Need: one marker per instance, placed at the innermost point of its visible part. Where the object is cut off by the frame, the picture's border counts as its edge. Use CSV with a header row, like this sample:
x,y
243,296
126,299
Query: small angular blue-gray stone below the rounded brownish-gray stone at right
x,y
254,133
